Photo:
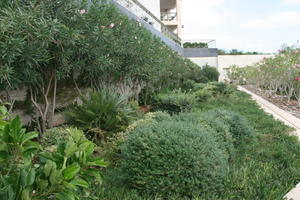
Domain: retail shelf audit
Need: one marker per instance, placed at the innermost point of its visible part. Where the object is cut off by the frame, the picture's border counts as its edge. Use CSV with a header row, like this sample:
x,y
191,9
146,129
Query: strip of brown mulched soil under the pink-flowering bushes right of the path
x,y
291,107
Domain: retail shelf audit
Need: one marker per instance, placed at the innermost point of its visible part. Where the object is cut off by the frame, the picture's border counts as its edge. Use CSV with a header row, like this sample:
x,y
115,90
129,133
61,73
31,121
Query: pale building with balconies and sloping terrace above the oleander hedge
x,y
163,19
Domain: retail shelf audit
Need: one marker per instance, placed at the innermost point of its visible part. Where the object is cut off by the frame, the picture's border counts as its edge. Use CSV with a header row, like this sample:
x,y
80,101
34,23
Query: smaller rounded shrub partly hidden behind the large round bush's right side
x,y
237,124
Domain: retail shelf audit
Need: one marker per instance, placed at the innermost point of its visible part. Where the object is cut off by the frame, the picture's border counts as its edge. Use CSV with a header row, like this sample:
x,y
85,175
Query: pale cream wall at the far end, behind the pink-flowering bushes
x,y
225,61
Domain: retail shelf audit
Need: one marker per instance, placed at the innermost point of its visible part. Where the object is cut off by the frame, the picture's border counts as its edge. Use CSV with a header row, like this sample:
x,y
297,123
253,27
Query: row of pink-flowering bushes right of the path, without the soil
x,y
280,73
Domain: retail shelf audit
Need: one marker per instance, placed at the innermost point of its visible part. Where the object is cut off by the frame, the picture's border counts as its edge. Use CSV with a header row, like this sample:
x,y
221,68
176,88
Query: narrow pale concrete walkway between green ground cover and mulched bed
x,y
285,117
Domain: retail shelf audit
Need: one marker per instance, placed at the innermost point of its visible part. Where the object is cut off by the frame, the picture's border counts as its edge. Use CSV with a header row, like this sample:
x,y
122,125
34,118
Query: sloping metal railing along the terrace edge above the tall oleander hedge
x,y
142,12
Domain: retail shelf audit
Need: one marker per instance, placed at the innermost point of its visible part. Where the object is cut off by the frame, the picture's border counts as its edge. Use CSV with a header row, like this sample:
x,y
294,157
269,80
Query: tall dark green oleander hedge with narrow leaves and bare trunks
x,y
51,44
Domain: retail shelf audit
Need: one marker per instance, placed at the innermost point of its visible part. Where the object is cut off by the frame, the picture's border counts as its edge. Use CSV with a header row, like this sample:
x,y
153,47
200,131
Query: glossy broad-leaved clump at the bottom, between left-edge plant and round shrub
x,y
70,169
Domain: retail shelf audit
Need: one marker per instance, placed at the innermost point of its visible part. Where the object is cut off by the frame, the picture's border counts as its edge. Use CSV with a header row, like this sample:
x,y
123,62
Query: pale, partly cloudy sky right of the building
x,y
248,25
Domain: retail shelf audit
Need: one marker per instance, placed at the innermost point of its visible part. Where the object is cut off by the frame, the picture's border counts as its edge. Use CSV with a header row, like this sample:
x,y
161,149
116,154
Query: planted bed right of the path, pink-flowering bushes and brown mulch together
x,y
276,79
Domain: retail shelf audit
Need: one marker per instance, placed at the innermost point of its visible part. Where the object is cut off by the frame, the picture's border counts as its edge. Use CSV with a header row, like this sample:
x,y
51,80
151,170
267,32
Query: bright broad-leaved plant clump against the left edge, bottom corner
x,y
17,173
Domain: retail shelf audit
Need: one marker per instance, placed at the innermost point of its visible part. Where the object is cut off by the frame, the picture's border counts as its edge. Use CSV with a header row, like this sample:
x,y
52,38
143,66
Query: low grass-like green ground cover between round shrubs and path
x,y
266,168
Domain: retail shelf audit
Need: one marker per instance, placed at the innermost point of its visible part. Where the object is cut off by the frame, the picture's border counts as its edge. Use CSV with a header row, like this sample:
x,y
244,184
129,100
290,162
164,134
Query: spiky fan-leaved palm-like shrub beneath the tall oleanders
x,y
102,111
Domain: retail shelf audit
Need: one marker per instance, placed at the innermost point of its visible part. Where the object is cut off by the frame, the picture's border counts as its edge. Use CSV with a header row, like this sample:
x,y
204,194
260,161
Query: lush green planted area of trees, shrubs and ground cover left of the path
x,y
139,122
